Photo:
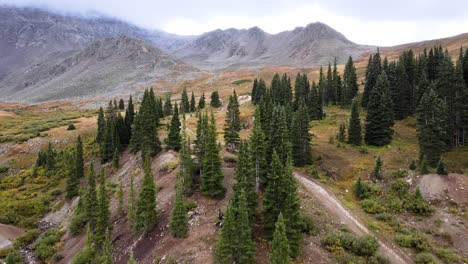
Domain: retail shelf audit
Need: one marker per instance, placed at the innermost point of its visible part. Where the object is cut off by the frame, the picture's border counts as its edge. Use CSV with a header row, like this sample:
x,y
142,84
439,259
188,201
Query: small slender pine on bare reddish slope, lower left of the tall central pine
x,y
179,221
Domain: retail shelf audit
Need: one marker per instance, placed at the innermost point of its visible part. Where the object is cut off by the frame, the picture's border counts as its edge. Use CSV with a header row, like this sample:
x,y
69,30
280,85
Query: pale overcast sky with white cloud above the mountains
x,y
373,22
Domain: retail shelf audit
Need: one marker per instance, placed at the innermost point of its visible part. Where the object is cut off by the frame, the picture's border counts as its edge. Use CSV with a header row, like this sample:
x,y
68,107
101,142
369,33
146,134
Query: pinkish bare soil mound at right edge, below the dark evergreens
x,y
450,188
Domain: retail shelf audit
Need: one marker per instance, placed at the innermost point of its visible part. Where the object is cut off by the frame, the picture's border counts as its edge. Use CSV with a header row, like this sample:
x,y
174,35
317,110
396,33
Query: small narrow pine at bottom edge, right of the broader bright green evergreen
x,y
280,245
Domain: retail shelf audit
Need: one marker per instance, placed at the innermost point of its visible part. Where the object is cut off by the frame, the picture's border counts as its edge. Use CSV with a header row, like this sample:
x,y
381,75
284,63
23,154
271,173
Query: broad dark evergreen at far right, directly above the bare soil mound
x,y
432,127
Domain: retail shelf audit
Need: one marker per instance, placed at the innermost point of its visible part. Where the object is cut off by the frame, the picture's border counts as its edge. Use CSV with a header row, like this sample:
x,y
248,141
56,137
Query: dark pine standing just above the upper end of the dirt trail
x,y
301,137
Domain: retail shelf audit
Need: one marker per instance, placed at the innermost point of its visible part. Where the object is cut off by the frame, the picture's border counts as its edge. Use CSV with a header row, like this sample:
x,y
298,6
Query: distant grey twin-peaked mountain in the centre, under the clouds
x,y
312,45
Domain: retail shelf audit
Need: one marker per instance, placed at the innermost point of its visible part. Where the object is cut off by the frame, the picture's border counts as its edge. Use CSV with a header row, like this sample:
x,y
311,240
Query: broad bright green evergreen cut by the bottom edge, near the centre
x,y
236,245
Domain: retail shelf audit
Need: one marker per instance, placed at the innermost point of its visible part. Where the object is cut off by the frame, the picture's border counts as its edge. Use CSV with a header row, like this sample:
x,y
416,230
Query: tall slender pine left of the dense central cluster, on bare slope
x,y
212,176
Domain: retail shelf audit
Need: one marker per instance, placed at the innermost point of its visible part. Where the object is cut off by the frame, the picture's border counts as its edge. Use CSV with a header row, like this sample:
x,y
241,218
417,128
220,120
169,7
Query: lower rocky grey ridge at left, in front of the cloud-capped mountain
x,y
103,68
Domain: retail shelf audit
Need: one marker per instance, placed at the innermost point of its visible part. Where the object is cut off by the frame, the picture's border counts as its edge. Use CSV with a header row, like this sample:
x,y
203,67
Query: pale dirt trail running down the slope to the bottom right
x,y
332,204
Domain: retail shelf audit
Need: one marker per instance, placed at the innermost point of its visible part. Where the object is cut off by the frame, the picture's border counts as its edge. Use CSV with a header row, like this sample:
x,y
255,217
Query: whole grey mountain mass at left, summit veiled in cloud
x,y
47,56
